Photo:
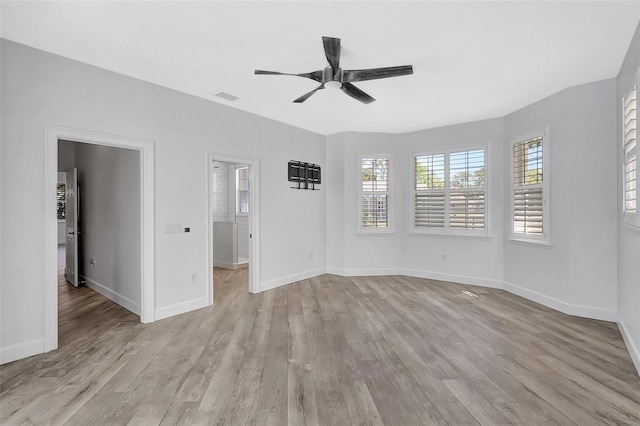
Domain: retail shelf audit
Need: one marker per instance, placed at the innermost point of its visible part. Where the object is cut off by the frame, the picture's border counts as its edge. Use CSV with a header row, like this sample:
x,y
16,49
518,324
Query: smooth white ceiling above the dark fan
x,y
472,60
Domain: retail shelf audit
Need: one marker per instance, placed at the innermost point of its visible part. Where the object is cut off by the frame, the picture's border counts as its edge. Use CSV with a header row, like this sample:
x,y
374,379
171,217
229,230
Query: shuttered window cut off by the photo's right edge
x,y
630,166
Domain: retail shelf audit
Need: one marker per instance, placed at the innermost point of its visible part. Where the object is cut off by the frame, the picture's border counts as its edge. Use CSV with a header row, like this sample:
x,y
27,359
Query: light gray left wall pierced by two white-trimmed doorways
x,y
40,88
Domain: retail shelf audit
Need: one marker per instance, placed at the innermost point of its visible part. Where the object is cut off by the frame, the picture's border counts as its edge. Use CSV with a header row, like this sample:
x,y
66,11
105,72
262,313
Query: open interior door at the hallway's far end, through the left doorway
x,y
71,208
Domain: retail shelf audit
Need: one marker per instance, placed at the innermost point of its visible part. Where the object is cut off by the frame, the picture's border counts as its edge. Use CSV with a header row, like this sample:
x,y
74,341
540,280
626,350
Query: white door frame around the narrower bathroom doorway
x,y
254,216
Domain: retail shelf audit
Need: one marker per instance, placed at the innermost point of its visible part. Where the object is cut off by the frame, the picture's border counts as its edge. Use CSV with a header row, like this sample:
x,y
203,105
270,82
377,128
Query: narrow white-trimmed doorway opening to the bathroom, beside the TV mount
x,y
233,213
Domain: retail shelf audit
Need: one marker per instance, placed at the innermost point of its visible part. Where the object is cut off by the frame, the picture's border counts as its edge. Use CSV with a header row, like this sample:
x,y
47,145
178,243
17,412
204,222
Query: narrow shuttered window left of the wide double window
x,y
374,193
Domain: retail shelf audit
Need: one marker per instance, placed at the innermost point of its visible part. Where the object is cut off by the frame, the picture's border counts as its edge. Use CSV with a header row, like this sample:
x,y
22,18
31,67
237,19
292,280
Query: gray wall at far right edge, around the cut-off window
x,y
628,238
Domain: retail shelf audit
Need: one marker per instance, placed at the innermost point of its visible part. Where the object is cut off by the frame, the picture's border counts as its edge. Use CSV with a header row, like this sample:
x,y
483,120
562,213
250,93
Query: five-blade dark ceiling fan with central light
x,y
336,76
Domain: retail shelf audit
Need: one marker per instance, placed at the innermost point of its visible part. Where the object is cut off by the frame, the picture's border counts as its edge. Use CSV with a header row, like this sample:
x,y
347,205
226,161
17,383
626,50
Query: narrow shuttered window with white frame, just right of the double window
x,y
530,188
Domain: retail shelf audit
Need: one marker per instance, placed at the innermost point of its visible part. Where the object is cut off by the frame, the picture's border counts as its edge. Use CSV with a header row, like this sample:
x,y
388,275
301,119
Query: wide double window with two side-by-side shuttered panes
x,y
450,192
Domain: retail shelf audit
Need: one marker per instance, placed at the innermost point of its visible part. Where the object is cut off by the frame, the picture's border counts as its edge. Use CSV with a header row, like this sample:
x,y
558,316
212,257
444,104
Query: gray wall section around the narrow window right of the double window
x,y
577,272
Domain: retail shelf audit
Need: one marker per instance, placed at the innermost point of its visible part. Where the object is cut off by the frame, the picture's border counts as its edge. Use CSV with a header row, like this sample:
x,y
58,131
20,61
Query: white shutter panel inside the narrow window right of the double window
x,y
528,198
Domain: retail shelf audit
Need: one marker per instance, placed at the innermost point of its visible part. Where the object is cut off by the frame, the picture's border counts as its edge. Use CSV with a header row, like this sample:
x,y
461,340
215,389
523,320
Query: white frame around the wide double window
x,y
447,231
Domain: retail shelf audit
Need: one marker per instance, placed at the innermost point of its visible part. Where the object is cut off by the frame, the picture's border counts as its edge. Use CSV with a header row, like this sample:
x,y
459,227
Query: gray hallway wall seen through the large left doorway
x,y
110,200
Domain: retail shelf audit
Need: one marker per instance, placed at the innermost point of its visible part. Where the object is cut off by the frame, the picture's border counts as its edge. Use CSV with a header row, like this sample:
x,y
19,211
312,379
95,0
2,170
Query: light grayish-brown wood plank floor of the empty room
x,y
327,351
